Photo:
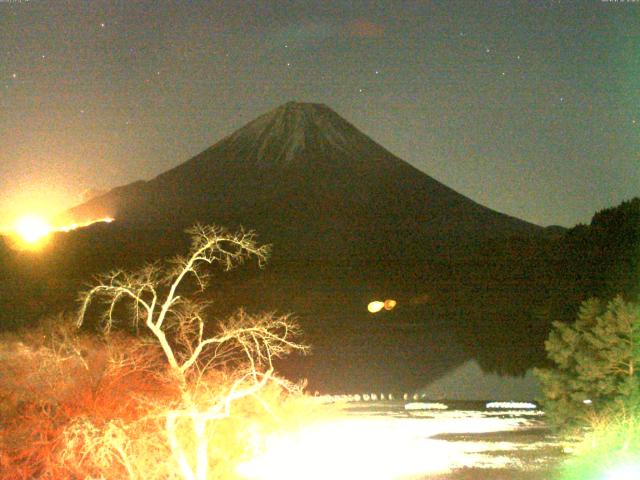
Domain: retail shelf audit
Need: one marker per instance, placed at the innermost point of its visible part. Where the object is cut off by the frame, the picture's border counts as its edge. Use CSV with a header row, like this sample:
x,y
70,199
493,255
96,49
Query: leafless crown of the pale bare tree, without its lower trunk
x,y
177,322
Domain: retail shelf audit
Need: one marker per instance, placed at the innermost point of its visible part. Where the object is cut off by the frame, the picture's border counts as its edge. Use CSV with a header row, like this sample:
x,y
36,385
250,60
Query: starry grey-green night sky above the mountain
x,y
530,108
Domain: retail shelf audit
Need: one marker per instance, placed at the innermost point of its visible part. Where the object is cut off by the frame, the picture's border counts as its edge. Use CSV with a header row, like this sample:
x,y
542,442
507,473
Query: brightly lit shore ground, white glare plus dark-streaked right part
x,y
382,440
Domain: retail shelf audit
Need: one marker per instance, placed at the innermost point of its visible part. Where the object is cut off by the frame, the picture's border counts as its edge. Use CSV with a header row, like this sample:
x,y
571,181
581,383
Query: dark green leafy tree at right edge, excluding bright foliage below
x,y
596,361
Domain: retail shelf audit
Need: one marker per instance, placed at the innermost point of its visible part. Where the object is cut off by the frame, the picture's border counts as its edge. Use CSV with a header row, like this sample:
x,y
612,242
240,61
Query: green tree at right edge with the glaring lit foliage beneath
x,y
591,392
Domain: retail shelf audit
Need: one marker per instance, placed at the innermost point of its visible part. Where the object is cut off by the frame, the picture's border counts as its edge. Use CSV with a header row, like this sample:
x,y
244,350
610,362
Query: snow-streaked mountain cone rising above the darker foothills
x,y
307,179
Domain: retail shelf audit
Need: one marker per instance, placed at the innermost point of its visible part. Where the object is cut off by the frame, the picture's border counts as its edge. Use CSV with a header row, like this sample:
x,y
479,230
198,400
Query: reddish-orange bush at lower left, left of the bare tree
x,y
53,377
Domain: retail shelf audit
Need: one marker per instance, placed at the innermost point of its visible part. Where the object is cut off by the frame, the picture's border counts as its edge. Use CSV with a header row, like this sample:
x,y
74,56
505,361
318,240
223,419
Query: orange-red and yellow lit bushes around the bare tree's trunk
x,y
103,414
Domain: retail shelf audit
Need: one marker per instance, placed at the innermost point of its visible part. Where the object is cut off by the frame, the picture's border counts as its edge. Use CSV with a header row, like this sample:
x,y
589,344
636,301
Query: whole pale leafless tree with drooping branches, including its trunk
x,y
248,343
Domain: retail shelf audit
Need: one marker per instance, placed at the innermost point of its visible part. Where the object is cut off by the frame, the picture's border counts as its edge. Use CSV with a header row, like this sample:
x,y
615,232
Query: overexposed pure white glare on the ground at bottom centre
x,y
375,448
